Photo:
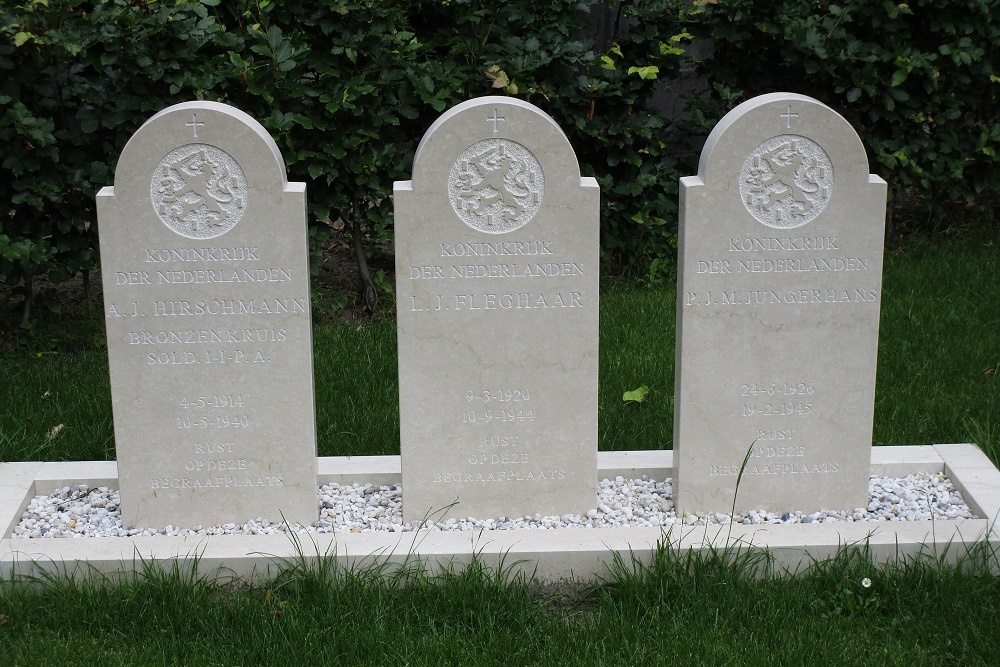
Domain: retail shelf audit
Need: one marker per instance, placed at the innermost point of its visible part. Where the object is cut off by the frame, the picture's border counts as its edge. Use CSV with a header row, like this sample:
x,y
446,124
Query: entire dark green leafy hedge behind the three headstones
x,y
348,87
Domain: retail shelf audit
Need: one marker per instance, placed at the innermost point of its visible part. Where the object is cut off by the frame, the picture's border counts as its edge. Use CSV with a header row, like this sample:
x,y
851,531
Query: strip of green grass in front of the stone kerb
x,y
698,610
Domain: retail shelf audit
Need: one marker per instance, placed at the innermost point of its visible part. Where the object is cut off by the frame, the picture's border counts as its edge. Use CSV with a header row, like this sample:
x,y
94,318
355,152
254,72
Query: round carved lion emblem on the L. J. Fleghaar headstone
x,y
496,186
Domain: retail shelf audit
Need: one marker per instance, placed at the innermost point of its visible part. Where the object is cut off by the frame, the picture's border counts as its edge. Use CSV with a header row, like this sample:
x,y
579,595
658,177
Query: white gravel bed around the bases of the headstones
x,y
79,511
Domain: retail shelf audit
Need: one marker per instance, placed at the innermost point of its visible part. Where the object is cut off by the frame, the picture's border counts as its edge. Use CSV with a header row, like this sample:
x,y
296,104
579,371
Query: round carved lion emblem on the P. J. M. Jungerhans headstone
x,y
787,181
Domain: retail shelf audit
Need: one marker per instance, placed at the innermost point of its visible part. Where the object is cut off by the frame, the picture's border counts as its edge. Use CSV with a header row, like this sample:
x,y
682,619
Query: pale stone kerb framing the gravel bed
x,y
549,555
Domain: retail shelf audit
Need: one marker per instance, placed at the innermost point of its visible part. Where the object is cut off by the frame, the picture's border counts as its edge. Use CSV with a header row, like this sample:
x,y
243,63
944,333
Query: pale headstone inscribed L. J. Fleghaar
x,y
497,304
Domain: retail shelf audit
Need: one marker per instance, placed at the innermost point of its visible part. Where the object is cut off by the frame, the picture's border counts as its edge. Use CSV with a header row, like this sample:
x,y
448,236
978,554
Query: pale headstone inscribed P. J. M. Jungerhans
x,y
779,291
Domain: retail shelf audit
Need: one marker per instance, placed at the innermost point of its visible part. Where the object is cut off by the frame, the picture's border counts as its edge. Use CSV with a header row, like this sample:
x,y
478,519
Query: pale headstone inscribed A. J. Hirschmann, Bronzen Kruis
x,y
206,288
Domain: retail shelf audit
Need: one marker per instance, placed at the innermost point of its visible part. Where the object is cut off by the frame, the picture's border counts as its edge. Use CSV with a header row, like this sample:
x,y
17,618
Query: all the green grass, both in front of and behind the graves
x,y
938,358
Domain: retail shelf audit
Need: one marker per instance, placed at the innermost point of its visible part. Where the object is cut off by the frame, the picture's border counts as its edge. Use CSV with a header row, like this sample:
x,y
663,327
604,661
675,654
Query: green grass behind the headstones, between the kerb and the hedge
x,y
939,351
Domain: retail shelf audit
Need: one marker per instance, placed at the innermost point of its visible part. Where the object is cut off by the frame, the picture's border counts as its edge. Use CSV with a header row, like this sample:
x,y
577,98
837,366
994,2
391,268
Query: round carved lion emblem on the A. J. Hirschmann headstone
x,y
199,191
